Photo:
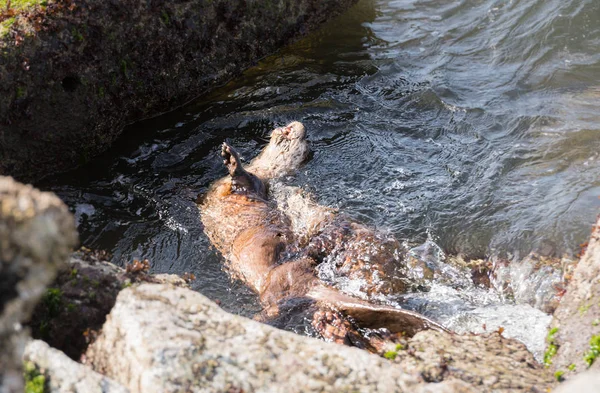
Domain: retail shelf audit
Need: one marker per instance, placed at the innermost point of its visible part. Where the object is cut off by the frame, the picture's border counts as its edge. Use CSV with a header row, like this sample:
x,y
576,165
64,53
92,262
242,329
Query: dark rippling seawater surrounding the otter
x,y
471,124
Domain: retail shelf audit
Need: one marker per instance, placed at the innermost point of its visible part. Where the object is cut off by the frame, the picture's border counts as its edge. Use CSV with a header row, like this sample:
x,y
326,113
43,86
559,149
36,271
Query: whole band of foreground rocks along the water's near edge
x,y
127,330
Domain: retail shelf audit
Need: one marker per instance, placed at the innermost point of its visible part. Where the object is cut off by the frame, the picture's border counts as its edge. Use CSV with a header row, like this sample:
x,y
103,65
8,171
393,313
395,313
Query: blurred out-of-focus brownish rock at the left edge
x,y
37,233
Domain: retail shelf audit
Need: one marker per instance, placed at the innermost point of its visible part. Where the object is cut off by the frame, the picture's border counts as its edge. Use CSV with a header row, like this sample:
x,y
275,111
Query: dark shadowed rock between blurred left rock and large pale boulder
x,y
77,303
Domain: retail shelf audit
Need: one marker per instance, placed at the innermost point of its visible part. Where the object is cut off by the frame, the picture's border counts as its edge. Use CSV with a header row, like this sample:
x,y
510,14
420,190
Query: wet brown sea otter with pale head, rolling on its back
x,y
263,245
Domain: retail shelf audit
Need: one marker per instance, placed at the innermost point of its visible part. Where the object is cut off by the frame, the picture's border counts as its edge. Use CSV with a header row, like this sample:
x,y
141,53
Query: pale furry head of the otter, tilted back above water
x,y
286,151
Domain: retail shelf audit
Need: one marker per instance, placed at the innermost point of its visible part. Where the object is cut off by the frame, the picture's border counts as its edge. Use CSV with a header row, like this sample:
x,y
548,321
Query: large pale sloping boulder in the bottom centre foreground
x,y
204,349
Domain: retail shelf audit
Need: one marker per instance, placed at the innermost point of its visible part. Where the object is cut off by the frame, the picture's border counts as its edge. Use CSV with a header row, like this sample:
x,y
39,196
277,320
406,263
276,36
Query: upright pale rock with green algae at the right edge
x,y
577,319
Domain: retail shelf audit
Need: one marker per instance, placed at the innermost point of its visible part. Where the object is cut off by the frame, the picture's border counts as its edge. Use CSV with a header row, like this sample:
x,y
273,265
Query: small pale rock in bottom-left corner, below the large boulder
x,y
61,374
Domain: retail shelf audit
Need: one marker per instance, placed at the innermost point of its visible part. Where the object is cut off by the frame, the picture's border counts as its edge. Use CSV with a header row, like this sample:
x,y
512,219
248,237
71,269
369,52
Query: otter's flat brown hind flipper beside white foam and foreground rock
x,y
373,316
